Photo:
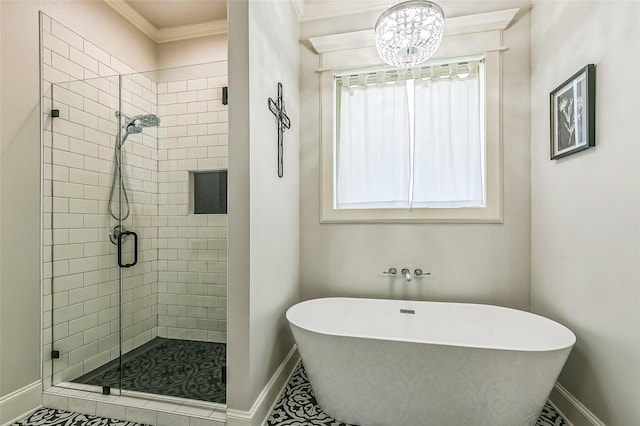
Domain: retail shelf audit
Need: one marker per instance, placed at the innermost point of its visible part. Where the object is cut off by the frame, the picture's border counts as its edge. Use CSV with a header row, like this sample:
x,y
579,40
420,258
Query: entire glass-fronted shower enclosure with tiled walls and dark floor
x,y
135,276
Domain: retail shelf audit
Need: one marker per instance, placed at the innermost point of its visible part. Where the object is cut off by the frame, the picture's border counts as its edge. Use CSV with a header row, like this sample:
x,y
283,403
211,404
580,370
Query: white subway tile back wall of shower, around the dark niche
x,y
192,249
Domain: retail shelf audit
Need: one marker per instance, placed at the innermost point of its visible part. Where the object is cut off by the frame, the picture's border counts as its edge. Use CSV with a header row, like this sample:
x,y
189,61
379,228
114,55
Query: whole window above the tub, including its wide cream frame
x,y
418,145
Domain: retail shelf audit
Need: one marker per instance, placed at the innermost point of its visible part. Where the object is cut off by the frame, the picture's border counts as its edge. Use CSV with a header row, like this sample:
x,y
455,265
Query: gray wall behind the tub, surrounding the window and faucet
x,y
469,262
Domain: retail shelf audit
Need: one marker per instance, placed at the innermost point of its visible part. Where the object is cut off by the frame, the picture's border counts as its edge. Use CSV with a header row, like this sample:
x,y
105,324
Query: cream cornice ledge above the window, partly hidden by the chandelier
x,y
459,25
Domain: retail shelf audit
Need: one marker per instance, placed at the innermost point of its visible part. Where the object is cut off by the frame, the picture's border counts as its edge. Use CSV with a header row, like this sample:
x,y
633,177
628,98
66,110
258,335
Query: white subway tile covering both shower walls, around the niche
x,y
178,288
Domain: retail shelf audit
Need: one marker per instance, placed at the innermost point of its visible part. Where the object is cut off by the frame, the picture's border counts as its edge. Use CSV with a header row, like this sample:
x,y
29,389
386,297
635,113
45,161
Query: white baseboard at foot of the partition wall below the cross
x,y
261,408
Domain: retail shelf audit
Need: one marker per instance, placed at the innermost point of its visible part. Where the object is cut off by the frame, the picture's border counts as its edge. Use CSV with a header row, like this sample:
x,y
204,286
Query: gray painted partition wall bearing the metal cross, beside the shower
x,y
263,209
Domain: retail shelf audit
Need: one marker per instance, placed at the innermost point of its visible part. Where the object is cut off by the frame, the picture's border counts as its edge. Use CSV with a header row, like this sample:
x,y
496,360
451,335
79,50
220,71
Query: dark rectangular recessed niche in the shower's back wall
x,y
210,192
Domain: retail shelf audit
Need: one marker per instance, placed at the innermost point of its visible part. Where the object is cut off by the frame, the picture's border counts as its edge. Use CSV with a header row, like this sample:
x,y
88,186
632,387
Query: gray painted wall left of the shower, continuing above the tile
x,y
20,162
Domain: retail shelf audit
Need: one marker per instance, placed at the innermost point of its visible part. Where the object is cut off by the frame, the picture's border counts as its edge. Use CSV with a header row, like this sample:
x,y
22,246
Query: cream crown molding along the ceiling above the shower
x,y
164,35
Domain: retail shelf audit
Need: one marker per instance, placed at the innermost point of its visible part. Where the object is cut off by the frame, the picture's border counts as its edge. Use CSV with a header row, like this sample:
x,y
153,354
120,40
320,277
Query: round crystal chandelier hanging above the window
x,y
409,32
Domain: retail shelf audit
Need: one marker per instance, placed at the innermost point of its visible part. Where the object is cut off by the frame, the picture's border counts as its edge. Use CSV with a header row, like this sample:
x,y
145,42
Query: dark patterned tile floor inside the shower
x,y
170,367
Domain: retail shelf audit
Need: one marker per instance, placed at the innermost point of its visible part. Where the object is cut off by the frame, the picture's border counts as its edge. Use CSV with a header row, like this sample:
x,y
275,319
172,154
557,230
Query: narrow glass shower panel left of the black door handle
x,y
82,284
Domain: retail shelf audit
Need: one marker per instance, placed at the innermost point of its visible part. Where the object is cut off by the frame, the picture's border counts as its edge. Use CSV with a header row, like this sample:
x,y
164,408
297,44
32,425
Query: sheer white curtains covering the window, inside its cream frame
x,y
411,138
